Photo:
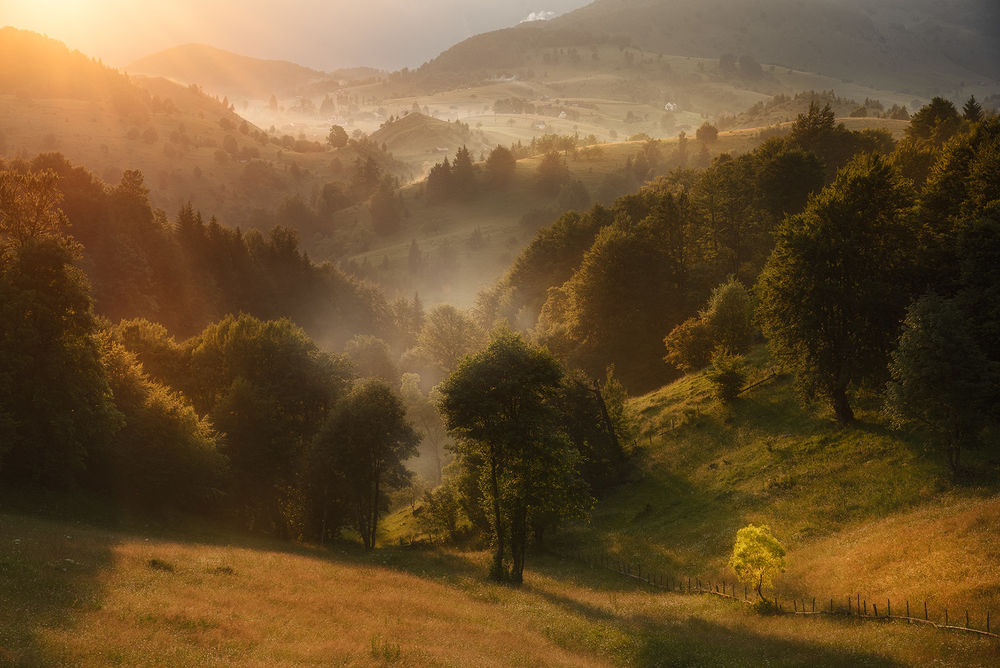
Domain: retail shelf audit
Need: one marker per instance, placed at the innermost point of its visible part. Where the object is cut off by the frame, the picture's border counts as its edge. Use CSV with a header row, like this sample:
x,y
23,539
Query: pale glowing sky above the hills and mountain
x,y
322,34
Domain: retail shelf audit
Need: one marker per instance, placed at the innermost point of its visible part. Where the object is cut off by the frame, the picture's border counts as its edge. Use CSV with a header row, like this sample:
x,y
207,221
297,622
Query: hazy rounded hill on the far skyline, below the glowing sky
x,y
226,73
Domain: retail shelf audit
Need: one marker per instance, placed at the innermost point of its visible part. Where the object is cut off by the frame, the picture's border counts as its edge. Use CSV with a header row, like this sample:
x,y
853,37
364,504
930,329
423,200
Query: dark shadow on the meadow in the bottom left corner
x,y
49,575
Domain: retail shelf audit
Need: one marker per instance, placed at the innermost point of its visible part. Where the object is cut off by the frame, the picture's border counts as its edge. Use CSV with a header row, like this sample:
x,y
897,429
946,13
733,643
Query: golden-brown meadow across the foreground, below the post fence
x,y
74,595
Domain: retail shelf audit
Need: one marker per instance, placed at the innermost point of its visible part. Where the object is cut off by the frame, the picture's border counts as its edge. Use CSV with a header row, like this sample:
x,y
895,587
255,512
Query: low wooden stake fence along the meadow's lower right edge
x,y
854,607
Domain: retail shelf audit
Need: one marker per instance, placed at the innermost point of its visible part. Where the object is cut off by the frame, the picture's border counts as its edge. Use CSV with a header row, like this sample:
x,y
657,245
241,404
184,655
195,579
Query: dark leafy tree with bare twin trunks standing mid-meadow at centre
x,y
501,404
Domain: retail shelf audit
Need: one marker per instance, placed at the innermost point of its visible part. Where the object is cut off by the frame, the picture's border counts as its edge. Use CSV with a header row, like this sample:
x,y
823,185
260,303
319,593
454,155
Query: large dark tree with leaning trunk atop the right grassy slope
x,y
835,288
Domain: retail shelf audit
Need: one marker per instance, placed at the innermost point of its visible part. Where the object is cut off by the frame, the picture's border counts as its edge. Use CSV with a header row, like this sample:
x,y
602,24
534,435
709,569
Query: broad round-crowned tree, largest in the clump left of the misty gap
x,y
266,387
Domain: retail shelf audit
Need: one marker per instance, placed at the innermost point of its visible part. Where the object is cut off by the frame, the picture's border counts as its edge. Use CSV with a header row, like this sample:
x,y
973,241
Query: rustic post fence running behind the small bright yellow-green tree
x,y
859,609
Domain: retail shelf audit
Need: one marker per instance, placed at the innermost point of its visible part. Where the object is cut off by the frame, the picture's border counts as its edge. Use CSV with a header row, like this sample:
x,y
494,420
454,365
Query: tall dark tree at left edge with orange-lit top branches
x,y
55,402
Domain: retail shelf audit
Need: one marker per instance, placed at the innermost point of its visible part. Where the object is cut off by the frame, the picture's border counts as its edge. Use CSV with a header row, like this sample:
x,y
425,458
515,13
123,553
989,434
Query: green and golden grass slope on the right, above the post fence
x,y
862,510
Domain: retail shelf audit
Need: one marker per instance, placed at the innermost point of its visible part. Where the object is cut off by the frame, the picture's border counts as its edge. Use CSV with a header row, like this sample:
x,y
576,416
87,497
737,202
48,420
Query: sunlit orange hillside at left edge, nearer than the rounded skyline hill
x,y
189,146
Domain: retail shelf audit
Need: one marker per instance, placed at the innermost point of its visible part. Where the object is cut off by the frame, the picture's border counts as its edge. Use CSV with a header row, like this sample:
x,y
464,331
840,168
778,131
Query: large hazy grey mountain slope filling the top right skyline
x,y
919,47
